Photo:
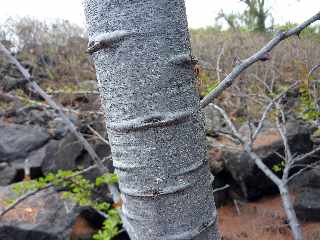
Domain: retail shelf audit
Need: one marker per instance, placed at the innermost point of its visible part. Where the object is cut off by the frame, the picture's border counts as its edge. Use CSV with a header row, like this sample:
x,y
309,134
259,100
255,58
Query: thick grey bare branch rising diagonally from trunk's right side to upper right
x,y
261,55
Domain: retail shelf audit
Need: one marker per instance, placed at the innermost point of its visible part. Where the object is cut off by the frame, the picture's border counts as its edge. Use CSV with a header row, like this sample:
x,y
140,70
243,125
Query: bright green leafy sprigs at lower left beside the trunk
x,y
80,190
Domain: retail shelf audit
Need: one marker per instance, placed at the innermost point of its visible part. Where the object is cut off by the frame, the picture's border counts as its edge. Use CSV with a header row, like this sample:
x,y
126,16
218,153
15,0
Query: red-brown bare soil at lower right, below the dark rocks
x,y
262,220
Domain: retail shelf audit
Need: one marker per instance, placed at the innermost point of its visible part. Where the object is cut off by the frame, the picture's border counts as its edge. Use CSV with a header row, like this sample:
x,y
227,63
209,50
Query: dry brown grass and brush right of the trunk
x,y
291,61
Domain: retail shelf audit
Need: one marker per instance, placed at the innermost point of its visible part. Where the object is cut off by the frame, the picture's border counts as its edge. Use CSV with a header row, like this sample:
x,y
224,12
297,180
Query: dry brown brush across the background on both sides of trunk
x,y
56,54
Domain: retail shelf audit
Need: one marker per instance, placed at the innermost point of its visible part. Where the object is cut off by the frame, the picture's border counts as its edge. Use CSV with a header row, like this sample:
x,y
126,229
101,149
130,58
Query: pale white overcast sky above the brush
x,y
201,13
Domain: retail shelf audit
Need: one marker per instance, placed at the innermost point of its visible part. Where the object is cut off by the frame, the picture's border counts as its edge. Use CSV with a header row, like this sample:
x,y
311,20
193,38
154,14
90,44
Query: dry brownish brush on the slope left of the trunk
x,y
53,52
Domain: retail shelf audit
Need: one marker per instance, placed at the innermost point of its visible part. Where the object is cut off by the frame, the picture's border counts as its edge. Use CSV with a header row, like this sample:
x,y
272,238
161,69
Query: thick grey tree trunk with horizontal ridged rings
x,y
142,54
